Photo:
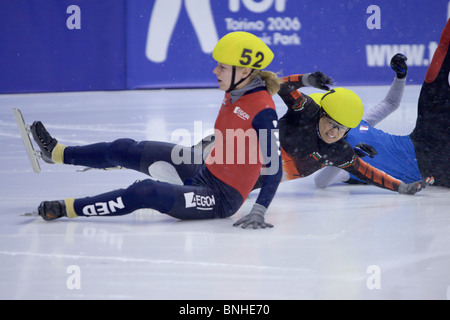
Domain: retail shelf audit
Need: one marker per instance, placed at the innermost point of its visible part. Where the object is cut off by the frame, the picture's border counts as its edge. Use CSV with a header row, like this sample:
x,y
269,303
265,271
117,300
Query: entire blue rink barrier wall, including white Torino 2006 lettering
x,y
118,44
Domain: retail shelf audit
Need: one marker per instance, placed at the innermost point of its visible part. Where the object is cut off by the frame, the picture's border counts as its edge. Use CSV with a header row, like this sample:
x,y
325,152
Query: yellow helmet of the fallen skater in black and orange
x,y
342,105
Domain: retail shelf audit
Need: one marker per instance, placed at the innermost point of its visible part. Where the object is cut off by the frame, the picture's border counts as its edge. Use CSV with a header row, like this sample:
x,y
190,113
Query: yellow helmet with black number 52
x,y
243,49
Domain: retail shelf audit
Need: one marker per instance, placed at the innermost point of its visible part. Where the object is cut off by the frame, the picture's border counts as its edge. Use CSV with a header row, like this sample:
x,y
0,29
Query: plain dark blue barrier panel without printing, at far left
x,y
59,45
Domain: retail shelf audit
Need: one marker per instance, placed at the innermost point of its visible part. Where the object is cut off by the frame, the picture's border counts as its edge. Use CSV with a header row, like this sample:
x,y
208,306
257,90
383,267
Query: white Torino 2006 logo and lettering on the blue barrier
x,y
165,14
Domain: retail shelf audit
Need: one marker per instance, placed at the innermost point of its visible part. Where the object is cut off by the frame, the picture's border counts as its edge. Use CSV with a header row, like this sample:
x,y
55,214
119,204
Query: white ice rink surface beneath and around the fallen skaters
x,y
343,242
